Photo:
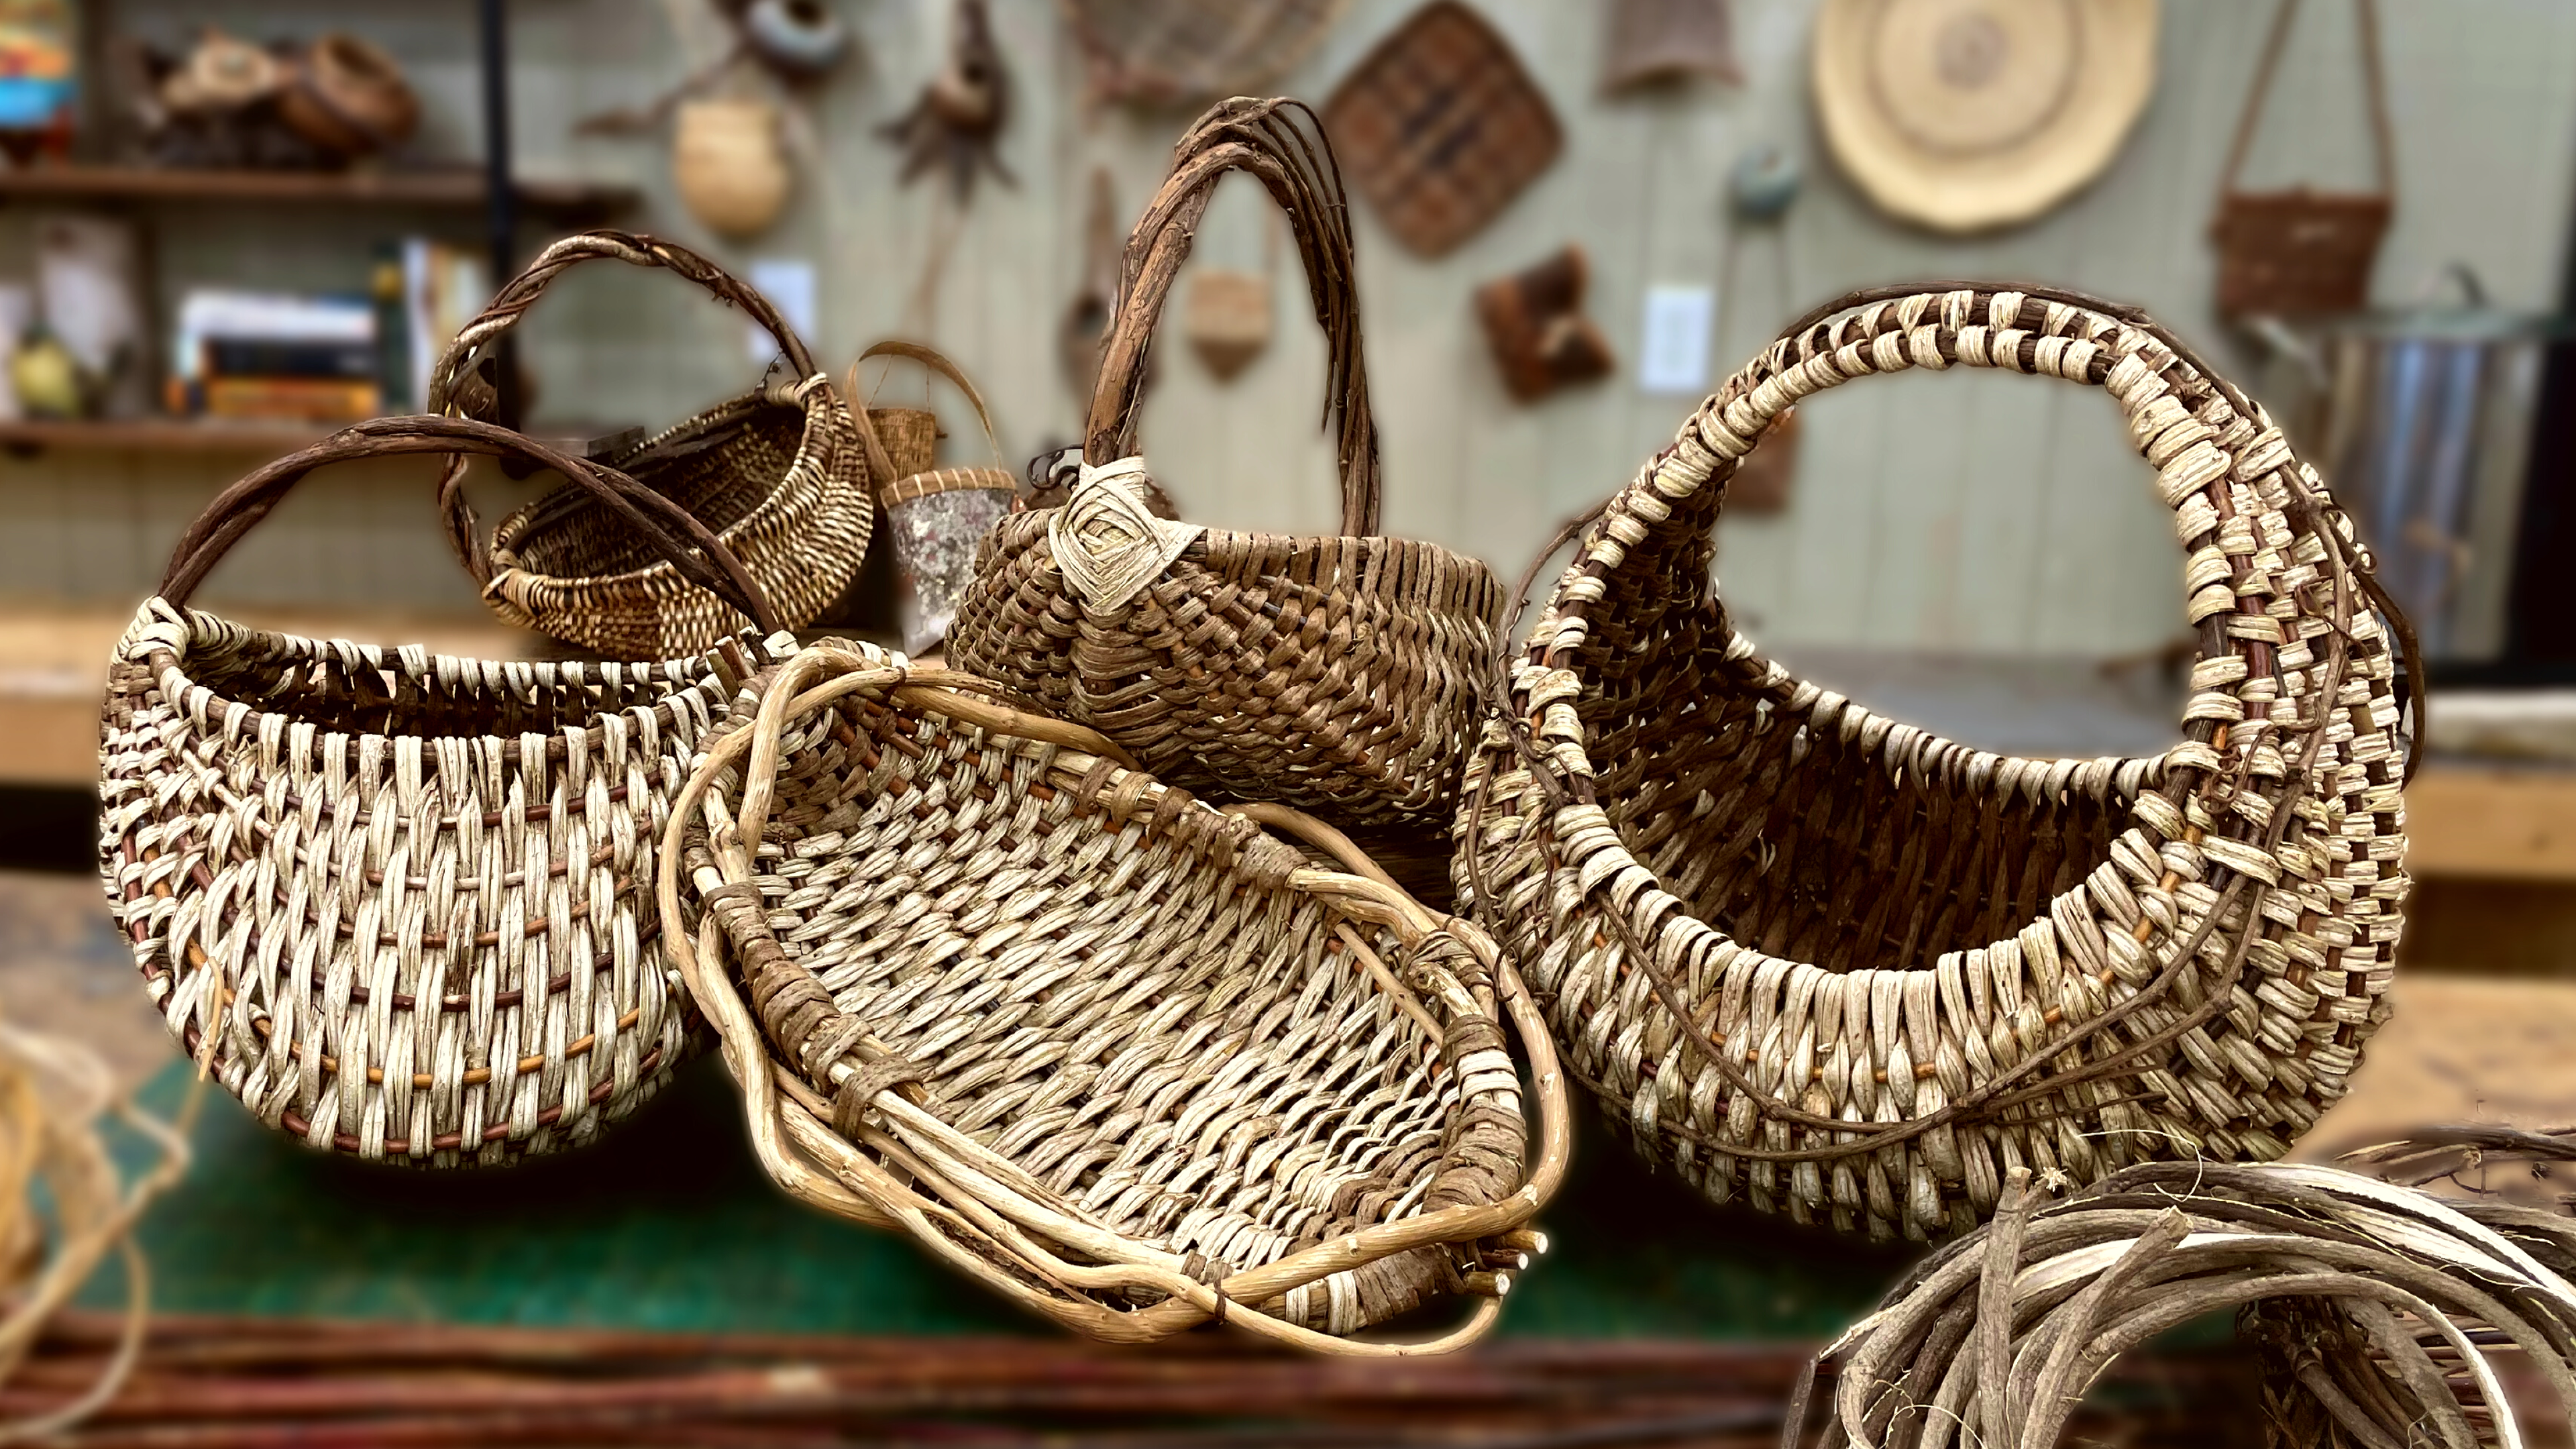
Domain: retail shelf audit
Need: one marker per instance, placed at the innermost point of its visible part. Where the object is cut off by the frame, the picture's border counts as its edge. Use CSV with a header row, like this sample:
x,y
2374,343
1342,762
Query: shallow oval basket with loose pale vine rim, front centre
x,y
1122,1058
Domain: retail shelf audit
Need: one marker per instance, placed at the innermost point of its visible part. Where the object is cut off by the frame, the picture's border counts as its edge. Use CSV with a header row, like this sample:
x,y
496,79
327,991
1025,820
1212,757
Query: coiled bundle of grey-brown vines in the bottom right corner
x,y
2376,1311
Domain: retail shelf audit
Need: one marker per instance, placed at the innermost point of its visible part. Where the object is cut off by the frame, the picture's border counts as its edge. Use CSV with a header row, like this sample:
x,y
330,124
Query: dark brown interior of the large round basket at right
x,y
1799,839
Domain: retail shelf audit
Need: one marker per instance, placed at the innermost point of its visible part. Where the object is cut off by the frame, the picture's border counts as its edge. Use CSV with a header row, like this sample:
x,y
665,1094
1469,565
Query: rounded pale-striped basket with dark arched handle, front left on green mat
x,y
403,904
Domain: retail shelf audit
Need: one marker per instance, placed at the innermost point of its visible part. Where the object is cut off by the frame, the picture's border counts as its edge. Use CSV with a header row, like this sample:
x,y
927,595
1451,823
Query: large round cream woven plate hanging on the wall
x,y
1969,115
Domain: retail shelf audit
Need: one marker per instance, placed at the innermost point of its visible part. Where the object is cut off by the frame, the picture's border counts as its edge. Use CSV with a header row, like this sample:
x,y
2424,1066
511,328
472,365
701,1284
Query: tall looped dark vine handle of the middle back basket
x,y
1287,151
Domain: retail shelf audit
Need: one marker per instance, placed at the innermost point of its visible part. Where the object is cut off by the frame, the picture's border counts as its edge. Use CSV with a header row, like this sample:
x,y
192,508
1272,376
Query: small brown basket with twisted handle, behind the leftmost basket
x,y
779,473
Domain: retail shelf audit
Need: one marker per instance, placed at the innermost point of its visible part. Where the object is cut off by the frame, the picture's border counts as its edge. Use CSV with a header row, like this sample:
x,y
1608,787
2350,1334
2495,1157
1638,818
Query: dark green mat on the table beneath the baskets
x,y
674,1226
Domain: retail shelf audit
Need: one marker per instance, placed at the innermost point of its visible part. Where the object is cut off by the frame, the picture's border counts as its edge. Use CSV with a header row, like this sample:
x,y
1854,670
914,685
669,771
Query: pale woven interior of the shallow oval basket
x,y
1168,1043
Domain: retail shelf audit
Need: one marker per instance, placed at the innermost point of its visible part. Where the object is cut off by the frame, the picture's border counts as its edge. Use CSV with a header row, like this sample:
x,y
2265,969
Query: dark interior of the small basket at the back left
x,y
720,465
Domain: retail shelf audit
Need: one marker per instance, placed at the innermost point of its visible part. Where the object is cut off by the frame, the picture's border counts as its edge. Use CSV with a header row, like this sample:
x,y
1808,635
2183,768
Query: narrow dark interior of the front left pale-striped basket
x,y
372,692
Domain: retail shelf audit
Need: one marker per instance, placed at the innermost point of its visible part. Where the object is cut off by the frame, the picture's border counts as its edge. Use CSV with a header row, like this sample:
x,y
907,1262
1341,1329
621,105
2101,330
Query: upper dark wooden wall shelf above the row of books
x,y
316,187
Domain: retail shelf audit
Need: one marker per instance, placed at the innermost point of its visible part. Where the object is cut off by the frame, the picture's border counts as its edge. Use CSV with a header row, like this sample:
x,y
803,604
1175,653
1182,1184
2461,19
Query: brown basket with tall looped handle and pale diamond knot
x,y
1333,674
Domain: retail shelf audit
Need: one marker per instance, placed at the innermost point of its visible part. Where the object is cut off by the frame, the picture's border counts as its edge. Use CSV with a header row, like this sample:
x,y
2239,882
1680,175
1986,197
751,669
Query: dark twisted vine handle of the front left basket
x,y
671,530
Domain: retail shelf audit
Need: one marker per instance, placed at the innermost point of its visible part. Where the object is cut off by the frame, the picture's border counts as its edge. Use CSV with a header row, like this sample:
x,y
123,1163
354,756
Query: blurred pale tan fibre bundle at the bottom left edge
x,y
53,1100
